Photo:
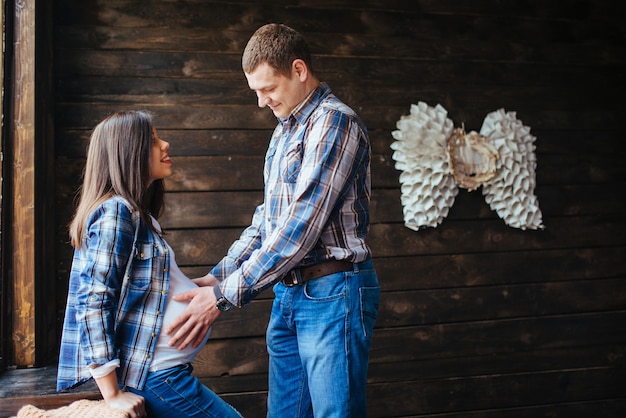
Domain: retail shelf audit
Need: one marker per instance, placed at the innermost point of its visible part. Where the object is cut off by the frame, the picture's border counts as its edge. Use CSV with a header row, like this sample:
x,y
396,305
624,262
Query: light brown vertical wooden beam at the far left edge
x,y
23,127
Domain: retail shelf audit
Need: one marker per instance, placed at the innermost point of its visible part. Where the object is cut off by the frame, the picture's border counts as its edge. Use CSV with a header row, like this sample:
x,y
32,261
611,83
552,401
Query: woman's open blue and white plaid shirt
x,y
117,293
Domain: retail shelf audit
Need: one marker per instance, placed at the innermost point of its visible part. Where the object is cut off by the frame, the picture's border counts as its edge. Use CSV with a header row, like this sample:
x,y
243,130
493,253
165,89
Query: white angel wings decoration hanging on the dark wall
x,y
436,159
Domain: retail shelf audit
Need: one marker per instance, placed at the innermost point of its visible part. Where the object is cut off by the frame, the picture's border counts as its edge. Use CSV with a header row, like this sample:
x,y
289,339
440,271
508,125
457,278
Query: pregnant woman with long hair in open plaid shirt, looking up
x,y
122,274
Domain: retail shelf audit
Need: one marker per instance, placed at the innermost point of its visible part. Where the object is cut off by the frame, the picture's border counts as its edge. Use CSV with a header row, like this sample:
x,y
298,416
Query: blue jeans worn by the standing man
x,y
318,340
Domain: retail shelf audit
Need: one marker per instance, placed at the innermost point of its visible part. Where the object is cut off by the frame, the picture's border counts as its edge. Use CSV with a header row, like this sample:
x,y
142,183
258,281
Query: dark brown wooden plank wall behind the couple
x,y
477,319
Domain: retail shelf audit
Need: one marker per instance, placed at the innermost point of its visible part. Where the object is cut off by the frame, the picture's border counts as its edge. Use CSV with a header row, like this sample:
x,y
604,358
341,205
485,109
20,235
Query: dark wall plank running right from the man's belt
x,y
480,269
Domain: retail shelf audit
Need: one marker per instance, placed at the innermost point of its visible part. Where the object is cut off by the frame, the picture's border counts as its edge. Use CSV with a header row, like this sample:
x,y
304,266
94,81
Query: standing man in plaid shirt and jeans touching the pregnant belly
x,y
307,239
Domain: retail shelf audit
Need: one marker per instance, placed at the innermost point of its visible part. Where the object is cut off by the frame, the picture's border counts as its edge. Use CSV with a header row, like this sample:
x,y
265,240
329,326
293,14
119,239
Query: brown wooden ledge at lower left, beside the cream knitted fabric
x,y
37,386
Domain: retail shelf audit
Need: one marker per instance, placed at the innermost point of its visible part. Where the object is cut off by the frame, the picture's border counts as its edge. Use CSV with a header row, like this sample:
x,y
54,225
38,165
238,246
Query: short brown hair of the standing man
x,y
277,45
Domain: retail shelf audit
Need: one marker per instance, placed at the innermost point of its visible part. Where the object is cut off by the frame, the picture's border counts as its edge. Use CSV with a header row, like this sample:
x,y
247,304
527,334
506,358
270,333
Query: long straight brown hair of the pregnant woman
x,y
118,163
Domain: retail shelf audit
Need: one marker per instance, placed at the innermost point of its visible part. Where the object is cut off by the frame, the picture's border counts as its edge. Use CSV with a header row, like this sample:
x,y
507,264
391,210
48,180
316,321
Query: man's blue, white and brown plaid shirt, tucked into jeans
x,y
316,199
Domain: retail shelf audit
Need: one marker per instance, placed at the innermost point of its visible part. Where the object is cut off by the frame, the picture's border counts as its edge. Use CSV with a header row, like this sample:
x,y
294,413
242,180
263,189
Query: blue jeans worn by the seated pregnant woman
x,y
176,393
